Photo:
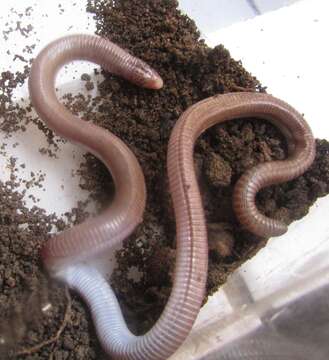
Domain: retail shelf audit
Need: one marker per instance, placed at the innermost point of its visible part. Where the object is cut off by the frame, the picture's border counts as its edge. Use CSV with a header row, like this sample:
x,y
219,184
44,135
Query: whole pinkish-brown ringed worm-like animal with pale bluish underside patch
x,y
64,253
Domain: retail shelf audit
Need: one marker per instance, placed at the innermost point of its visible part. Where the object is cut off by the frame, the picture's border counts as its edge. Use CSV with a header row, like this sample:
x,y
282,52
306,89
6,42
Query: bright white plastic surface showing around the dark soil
x,y
287,50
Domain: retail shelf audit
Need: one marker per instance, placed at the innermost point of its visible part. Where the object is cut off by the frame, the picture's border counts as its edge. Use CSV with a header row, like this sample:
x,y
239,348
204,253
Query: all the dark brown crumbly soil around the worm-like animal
x,y
57,325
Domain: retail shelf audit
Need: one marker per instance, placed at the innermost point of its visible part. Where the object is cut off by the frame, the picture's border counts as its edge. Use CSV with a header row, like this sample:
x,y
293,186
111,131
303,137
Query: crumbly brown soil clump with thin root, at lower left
x,y
34,310
